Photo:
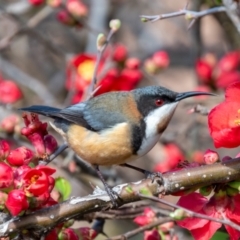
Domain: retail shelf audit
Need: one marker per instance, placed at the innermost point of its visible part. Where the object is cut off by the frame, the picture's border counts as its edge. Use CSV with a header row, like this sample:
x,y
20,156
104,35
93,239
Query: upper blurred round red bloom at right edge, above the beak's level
x,y
230,61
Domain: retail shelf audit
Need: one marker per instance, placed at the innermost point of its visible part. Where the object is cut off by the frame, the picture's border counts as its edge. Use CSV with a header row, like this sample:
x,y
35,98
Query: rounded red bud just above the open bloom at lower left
x,y
20,156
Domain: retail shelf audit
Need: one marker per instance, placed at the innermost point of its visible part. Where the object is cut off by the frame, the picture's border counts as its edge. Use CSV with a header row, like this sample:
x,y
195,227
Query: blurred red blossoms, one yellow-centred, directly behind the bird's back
x,y
123,76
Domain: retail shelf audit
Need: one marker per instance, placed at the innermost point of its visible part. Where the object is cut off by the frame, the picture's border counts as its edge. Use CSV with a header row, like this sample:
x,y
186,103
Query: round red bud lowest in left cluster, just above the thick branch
x,y
16,202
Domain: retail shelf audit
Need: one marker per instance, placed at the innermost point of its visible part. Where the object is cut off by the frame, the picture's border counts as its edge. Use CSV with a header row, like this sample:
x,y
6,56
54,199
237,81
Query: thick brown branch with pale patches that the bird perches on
x,y
184,179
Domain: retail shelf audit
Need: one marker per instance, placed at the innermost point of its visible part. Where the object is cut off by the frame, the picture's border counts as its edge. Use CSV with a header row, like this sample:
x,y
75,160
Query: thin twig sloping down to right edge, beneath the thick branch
x,y
191,213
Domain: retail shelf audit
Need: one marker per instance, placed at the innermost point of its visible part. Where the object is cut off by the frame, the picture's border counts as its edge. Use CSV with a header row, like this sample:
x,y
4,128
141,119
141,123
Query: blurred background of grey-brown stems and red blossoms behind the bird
x,y
49,50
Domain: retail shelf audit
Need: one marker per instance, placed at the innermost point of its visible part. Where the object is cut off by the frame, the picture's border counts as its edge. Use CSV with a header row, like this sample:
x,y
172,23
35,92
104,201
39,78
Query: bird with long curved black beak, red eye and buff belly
x,y
116,127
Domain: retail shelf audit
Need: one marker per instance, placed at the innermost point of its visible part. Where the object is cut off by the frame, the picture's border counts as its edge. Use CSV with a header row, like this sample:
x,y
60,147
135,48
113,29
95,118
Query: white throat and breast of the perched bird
x,y
152,121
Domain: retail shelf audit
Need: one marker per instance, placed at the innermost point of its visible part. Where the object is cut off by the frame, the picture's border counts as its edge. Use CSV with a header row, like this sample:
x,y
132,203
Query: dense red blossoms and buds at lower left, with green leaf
x,y
26,186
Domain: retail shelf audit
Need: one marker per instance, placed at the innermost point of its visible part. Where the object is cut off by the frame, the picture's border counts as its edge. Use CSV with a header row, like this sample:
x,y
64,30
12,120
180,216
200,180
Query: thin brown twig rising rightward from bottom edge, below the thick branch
x,y
141,229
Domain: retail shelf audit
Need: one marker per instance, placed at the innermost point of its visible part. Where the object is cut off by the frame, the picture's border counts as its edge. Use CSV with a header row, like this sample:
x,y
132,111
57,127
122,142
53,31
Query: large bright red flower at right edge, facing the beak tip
x,y
224,119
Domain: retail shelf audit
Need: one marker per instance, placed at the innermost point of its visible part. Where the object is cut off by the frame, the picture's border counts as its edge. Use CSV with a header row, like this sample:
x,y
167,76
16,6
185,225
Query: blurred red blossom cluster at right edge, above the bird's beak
x,y
216,74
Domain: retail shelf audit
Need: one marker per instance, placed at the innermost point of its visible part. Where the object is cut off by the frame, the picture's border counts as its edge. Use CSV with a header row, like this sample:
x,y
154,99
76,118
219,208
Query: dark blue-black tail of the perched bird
x,y
42,110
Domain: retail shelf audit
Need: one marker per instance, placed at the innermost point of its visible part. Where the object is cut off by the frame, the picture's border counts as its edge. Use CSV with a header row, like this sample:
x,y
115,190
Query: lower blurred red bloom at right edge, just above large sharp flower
x,y
227,78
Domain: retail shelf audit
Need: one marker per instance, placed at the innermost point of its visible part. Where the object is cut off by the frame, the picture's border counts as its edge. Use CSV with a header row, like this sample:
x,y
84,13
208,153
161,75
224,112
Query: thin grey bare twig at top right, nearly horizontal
x,y
192,15
